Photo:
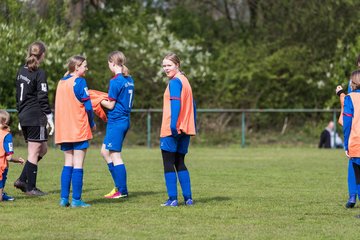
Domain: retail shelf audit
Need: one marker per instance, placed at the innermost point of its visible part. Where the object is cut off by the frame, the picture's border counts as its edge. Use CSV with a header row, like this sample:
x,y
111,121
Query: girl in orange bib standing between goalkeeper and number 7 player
x,y
74,120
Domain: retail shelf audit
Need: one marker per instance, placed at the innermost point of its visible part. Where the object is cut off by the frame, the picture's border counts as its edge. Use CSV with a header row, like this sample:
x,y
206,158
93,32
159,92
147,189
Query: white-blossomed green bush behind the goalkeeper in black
x,y
18,35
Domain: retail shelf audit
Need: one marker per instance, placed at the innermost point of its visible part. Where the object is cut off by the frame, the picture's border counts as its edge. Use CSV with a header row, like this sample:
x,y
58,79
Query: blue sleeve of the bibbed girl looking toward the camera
x,y
175,88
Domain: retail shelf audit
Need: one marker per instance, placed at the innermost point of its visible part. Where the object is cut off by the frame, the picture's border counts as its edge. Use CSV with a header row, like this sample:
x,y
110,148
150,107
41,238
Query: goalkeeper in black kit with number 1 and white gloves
x,y
34,115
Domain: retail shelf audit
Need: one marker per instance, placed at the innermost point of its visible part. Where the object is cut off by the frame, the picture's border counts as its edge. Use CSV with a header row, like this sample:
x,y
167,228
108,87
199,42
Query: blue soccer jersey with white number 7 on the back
x,y
121,90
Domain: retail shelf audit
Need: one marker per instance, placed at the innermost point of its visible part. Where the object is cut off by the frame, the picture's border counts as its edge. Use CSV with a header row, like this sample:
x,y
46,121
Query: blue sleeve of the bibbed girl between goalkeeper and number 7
x,y
82,94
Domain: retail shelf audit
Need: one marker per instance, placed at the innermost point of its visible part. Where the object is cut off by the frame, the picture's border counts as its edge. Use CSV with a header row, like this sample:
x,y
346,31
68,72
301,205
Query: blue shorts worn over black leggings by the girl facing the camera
x,y
179,144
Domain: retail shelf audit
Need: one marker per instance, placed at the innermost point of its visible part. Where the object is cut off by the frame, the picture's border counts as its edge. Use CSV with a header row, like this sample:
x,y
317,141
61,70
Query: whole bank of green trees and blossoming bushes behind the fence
x,y
271,54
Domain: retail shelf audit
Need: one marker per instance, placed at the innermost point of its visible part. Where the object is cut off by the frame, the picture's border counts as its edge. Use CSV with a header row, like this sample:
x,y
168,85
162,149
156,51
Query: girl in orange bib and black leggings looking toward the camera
x,y
178,124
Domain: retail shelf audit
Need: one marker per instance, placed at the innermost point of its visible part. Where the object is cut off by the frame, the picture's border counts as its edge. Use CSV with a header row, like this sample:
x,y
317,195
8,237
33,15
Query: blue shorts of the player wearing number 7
x,y
115,135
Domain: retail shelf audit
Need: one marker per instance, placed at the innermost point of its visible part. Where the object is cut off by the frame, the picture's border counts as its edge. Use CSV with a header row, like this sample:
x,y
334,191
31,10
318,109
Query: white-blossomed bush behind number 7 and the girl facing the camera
x,y
145,40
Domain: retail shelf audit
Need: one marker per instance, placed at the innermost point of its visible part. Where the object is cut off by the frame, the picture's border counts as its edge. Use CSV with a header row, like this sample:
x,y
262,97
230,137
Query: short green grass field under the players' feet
x,y
251,193
